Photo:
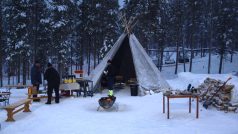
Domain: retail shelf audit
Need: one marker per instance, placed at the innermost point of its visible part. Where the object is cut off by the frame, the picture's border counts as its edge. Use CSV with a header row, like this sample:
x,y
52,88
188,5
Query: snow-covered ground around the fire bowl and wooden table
x,y
136,115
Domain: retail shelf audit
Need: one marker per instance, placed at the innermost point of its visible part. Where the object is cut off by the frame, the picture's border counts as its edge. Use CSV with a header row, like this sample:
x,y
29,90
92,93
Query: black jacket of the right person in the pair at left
x,y
52,77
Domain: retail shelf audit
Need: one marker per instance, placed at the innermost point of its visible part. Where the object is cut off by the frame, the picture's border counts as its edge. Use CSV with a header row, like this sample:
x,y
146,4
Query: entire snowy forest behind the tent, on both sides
x,y
73,32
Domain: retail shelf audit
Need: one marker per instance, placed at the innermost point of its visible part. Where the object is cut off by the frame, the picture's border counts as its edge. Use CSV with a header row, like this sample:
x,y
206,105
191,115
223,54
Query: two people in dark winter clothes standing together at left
x,y
51,76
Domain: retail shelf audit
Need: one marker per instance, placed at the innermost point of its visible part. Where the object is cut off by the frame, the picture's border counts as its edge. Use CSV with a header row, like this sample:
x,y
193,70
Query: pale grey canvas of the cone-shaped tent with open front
x,y
131,61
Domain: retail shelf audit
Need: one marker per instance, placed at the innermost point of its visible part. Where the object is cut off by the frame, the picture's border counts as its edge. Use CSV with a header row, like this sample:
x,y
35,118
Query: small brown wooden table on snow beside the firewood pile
x,y
181,96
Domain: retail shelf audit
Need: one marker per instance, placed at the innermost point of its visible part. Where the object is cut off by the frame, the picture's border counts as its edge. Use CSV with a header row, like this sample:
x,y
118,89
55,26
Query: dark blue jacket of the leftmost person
x,y
35,75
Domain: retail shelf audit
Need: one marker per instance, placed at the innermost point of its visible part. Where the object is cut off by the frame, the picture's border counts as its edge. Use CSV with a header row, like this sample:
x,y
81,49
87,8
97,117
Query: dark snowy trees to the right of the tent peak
x,y
194,24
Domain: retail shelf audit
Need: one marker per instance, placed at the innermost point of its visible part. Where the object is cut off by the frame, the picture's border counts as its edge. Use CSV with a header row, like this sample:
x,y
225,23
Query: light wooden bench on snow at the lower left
x,y
11,109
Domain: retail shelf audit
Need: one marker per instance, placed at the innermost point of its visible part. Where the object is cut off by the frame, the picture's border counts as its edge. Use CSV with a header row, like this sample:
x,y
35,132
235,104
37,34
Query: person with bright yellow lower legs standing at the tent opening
x,y
110,72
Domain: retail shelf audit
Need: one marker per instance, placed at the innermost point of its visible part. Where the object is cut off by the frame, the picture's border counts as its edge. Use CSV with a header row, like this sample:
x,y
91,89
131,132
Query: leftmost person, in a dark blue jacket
x,y
36,79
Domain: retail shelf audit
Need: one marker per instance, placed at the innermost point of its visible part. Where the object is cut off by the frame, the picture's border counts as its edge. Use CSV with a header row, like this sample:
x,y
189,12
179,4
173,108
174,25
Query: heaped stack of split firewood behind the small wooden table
x,y
221,99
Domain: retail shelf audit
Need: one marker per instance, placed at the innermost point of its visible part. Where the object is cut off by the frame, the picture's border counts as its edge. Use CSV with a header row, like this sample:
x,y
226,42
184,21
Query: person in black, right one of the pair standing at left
x,y
53,80
